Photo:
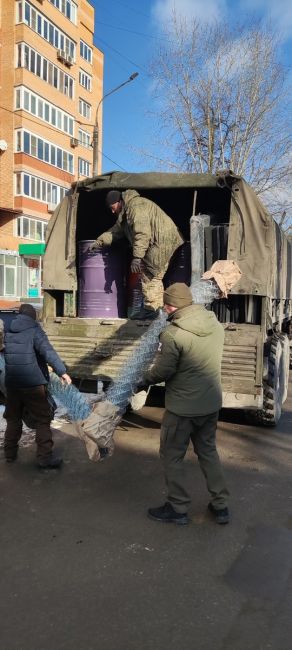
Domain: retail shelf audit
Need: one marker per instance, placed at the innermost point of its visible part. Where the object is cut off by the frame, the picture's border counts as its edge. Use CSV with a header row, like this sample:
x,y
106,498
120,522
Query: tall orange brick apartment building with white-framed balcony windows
x,y
51,78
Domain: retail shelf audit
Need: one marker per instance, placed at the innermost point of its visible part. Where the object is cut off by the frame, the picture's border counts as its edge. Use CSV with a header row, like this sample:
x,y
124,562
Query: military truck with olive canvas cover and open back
x,y
256,315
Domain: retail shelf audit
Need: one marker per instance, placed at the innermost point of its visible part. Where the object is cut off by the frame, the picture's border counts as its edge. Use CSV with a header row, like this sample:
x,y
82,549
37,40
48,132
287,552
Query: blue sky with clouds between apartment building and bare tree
x,y
128,31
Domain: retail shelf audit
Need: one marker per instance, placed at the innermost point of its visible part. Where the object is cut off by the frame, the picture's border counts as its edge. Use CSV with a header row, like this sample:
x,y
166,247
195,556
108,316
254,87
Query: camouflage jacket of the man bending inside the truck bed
x,y
152,234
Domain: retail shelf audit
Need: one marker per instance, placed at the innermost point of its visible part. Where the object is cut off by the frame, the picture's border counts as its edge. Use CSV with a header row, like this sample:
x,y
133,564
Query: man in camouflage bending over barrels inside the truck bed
x,y
153,236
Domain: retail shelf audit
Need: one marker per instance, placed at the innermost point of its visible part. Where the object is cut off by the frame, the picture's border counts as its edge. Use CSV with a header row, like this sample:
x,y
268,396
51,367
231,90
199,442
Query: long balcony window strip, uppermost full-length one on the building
x,y
47,30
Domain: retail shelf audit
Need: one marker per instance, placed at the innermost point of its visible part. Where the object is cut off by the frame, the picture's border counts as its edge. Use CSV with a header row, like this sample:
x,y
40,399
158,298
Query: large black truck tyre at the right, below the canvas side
x,y
275,386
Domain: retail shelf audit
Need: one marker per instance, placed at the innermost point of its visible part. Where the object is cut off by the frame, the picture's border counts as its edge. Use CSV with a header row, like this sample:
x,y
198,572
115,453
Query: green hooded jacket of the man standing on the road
x,y
189,362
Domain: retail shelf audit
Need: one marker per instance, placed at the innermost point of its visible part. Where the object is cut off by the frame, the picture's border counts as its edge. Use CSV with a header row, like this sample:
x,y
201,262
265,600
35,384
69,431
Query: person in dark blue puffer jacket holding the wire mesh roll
x,y
27,352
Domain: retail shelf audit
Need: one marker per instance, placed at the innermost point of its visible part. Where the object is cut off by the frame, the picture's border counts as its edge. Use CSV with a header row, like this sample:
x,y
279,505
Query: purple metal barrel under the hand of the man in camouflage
x,y
102,291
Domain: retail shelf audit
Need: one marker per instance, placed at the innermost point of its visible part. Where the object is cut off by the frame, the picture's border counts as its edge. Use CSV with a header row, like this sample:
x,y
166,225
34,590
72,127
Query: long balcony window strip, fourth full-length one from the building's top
x,y
43,150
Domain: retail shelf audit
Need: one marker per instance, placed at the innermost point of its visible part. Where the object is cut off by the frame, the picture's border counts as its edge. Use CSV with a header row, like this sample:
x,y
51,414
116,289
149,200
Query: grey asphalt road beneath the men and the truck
x,y
82,568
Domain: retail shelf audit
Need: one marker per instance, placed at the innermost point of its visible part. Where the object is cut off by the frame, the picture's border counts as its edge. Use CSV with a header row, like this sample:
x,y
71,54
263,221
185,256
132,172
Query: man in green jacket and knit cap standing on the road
x,y
189,361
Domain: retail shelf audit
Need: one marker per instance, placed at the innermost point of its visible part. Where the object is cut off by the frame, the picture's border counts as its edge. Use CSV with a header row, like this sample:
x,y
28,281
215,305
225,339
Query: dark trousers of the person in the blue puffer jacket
x,y
35,401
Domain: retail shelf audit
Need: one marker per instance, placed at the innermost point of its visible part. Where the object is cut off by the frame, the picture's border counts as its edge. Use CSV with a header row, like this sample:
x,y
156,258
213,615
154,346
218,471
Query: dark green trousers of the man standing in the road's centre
x,y
176,433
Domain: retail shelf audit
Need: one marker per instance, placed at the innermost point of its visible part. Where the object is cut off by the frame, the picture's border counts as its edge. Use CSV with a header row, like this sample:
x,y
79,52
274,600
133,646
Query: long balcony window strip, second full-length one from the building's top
x,y
35,63
